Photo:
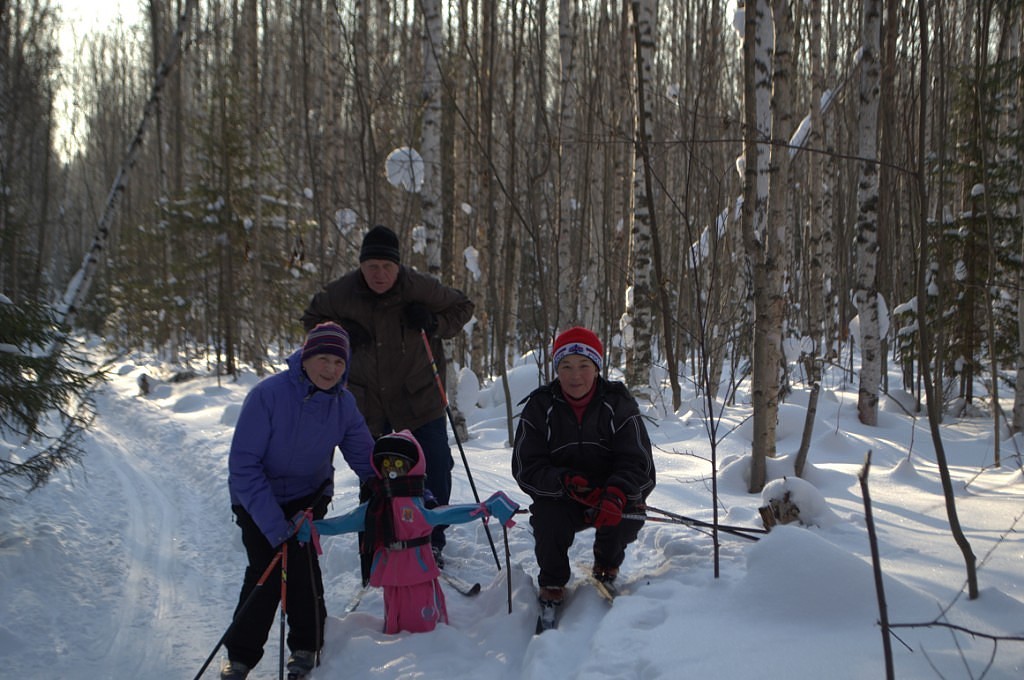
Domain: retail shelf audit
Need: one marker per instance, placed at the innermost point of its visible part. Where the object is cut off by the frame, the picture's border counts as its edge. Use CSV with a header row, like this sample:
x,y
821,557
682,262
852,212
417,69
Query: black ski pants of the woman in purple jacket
x,y
306,609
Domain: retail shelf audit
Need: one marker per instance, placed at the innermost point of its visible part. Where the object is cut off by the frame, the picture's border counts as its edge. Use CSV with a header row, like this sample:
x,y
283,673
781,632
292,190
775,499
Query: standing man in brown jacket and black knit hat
x,y
383,307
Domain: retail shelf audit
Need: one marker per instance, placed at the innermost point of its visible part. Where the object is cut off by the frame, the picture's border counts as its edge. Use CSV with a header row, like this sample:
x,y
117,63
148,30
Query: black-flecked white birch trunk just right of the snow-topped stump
x,y
866,292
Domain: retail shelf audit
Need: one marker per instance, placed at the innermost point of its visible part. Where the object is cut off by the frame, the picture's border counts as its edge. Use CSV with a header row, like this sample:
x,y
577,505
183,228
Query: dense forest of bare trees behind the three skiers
x,y
716,193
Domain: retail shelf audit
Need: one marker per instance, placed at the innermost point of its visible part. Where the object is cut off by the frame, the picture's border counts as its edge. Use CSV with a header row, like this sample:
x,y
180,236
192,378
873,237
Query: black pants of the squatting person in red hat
x,y
556,525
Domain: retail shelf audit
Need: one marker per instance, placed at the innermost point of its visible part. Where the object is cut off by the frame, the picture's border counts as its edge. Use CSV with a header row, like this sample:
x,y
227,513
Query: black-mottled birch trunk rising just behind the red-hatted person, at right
x,y
641,359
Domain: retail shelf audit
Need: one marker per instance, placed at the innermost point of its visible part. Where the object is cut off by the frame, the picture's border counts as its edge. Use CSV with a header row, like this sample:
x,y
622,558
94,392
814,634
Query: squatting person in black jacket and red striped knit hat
x,y
583,455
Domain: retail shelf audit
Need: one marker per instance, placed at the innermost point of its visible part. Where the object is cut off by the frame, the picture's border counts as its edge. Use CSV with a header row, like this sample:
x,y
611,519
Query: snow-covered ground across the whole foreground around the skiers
x,y
130,567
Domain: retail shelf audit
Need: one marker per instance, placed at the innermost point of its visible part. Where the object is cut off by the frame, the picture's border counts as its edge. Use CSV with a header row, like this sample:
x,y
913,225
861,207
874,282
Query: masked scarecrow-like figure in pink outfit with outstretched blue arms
x,y
398,526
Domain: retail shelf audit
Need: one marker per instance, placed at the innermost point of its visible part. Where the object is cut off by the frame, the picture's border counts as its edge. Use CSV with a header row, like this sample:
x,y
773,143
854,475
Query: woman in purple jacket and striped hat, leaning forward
x,y
280,465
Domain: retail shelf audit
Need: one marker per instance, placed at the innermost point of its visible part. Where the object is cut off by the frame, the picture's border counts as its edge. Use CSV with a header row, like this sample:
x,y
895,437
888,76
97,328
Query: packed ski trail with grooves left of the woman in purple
x,y
147,581
